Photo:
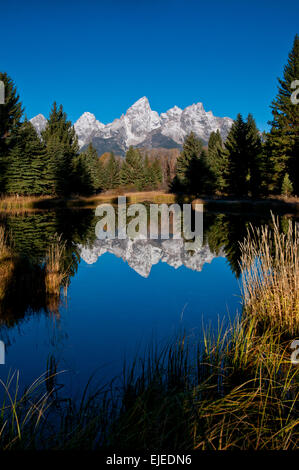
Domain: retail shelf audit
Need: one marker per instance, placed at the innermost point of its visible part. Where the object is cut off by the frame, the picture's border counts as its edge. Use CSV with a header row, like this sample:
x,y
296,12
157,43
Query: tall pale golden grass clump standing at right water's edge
x,y
270,268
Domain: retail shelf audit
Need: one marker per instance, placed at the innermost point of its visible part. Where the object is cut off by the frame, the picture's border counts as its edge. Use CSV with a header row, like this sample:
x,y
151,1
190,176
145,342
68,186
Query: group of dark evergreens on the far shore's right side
x,y
248,163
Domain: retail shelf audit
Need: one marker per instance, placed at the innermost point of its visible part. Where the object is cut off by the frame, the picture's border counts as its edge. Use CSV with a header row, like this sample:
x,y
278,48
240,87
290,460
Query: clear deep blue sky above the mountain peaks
x,y
101,56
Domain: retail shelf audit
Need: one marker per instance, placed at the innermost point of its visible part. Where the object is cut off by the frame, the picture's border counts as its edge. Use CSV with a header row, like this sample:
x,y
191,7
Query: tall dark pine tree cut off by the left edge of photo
x,y
10,116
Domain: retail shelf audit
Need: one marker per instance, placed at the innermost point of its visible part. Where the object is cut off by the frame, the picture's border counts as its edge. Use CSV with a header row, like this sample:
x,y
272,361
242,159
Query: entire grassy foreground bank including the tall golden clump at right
x,y
235,389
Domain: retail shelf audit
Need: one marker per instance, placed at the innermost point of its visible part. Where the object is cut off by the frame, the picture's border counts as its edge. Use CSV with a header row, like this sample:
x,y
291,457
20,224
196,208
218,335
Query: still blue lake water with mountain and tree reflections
x,y
117,296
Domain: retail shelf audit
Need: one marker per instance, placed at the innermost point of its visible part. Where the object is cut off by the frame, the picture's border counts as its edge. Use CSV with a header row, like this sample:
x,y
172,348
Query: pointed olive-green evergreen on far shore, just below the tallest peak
x,y
132,170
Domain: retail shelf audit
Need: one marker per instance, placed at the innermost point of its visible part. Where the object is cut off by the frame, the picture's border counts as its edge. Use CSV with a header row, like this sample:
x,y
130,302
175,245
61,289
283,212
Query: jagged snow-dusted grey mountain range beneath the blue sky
x,y
142,127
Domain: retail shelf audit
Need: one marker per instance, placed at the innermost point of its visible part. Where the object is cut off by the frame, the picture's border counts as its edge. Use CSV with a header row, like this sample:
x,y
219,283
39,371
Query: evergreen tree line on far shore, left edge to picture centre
x,y
50,163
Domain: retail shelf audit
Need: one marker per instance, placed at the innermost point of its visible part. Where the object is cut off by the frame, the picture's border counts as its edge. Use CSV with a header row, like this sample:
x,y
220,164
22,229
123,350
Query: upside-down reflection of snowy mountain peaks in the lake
x,y
141,255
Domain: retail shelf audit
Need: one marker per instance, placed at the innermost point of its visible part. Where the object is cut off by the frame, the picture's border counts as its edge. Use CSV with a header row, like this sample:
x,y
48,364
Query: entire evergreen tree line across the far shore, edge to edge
x,y
247,163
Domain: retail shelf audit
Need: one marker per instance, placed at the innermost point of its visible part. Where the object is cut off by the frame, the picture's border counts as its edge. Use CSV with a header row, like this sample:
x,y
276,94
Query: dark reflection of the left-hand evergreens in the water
x,y
31,281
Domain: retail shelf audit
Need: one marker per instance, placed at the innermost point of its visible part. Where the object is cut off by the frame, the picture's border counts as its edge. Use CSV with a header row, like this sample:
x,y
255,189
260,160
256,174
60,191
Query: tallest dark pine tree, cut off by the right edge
x,y
282,144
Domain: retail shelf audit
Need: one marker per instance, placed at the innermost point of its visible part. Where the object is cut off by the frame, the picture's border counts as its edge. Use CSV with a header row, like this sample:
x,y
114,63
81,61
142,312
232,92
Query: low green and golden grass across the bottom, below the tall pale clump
x,y
237,390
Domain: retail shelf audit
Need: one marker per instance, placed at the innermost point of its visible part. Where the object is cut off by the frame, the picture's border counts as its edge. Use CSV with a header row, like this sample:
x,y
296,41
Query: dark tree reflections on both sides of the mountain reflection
x,y
24,276
